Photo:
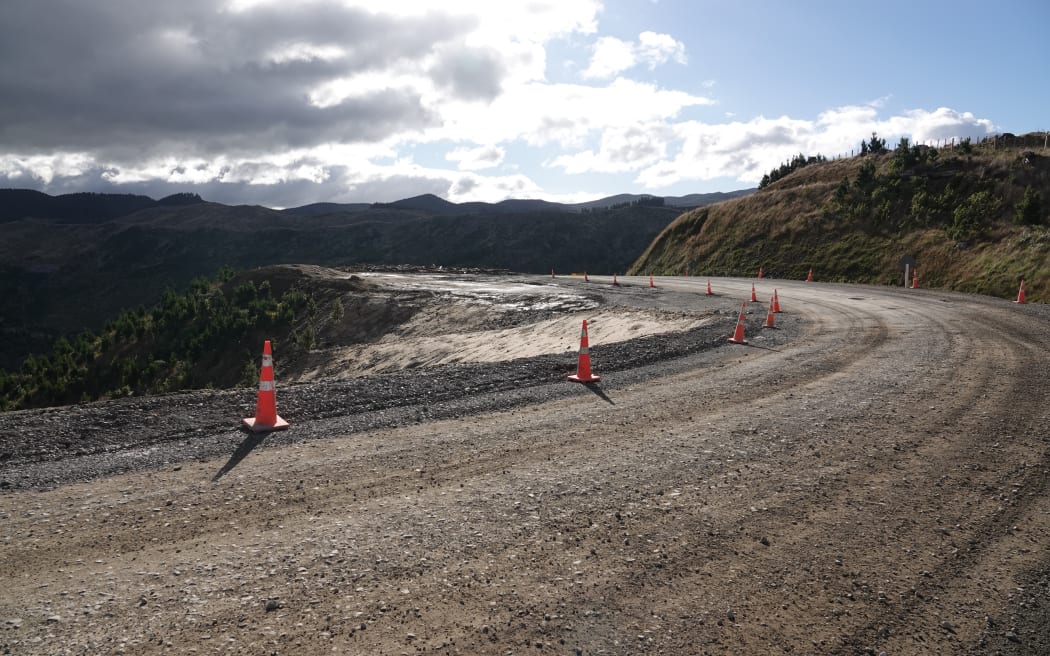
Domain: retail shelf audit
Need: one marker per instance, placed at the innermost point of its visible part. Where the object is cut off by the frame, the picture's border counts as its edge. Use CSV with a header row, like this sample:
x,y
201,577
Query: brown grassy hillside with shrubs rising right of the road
x,y
975,218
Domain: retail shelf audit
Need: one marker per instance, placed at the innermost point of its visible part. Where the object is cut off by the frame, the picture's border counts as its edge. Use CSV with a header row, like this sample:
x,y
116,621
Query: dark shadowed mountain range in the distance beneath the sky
x,y
74,262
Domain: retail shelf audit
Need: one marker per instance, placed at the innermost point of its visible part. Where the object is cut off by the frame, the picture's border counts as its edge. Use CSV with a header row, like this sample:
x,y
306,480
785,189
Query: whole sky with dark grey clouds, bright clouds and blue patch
x,y
289,102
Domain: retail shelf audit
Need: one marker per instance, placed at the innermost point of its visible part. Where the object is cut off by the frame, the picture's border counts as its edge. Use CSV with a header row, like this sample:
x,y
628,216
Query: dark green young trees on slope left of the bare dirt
x,y
209,336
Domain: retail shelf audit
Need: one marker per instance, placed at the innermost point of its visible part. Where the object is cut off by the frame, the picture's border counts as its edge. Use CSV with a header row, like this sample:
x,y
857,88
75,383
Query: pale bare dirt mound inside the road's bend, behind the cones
x,y
379,323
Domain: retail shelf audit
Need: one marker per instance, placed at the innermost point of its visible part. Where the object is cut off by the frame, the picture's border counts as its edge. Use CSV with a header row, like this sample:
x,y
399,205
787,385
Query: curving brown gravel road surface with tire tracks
x,y
875,484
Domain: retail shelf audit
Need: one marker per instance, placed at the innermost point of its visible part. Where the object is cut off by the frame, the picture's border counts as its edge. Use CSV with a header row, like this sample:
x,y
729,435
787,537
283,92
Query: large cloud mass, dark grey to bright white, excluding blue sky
x,y
302,101
